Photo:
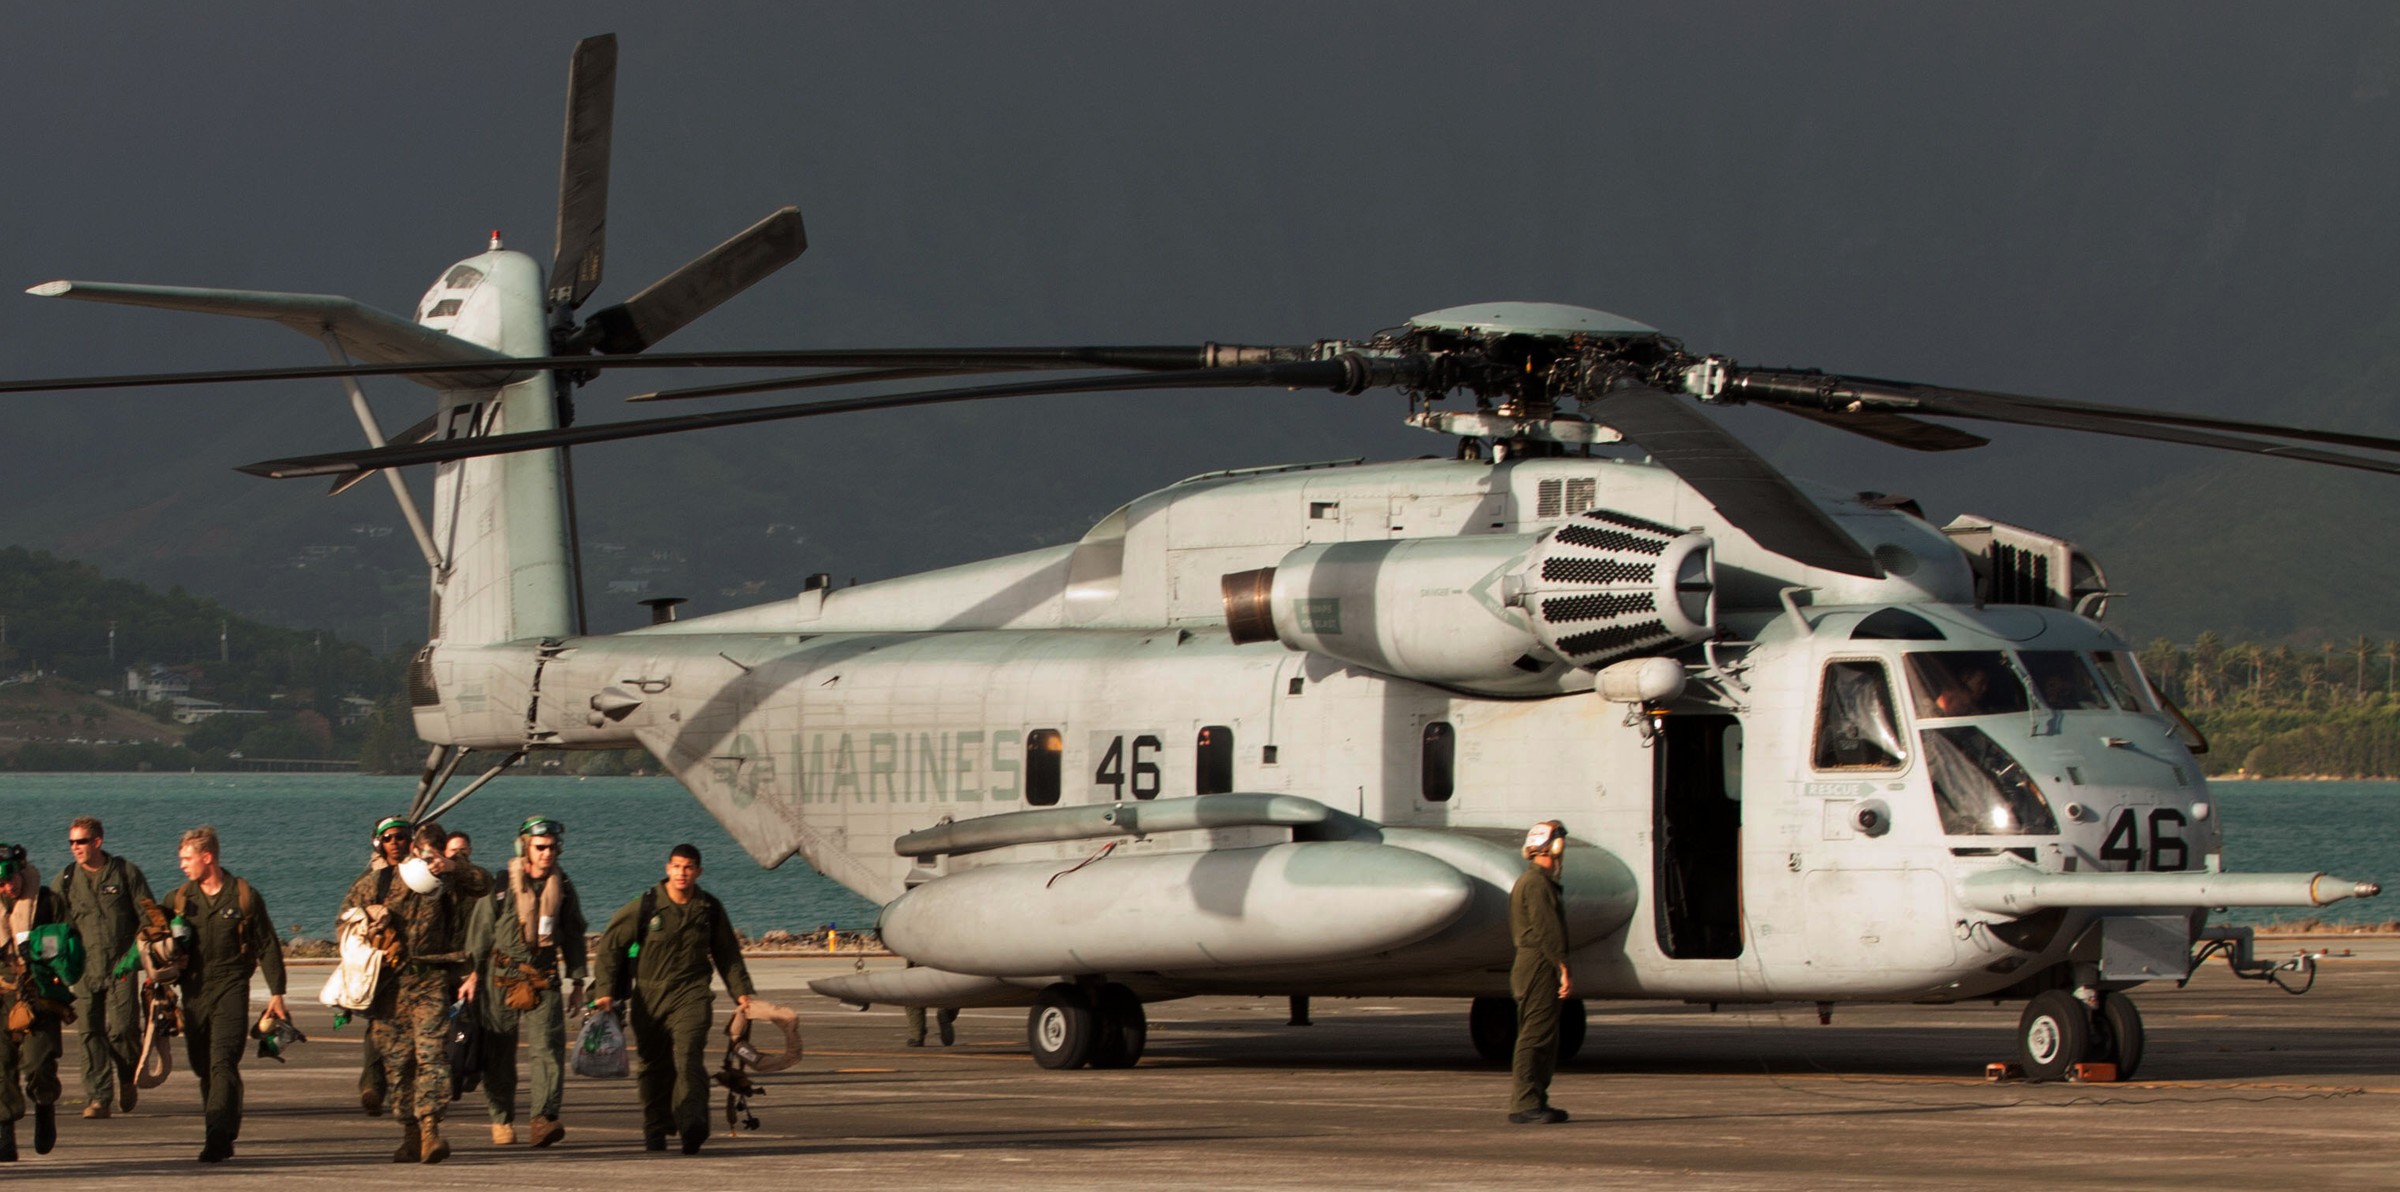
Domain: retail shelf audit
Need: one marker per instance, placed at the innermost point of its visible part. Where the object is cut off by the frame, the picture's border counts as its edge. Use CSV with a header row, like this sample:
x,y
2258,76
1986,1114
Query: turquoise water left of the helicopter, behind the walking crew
x,y
304,838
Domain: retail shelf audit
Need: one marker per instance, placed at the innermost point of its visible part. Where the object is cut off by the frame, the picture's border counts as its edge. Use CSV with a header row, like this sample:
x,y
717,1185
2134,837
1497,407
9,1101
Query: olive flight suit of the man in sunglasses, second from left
x,y
104,910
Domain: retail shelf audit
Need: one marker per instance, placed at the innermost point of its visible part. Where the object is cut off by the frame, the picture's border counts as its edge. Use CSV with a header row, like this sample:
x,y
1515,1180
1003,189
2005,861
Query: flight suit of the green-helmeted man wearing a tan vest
x,y
498,937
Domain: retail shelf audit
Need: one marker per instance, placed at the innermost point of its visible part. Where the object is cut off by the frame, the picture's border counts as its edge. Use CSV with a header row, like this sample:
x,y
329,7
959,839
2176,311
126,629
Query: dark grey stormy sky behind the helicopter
x,y
2154,205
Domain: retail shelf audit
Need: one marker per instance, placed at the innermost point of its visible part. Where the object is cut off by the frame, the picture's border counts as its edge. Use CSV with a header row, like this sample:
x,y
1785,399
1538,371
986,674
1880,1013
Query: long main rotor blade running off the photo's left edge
x,y
1148,359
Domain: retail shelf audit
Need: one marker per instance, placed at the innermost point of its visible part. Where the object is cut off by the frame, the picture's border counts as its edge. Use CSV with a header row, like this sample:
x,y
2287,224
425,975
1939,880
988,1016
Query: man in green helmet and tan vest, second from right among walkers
x,y
532,929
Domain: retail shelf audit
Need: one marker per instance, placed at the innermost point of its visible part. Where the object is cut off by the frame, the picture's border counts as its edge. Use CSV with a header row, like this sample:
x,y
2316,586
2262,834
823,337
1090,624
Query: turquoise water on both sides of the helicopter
x,y
304,838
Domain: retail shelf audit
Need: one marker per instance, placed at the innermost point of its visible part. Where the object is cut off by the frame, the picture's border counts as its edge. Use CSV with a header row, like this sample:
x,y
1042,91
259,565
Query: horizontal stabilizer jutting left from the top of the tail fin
x,y
368,335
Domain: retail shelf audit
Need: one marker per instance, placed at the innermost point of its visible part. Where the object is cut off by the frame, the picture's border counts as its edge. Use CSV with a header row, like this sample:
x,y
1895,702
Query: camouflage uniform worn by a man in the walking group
x,y
409,1018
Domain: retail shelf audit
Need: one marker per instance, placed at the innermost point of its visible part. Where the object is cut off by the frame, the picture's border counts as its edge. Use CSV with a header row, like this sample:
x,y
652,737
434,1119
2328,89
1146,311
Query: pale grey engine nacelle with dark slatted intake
x,y
1494,613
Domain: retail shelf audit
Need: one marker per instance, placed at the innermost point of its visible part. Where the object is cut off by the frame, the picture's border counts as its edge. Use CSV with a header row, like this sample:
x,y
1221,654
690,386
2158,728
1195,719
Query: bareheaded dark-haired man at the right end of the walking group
x,y
666,941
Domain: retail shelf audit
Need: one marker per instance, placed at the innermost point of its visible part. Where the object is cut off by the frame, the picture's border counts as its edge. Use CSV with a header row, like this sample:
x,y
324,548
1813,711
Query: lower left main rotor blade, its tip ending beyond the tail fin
x,y
1348,375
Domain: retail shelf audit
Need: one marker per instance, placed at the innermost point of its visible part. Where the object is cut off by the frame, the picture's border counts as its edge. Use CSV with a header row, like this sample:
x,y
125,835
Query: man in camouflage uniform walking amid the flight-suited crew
x,y
426,913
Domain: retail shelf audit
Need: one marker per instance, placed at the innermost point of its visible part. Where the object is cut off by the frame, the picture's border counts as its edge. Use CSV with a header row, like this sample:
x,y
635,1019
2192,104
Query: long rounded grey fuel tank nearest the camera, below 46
x,y
1208,910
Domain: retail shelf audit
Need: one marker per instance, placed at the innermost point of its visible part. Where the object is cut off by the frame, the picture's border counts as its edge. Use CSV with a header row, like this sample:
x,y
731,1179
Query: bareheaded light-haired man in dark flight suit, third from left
x,y
229,937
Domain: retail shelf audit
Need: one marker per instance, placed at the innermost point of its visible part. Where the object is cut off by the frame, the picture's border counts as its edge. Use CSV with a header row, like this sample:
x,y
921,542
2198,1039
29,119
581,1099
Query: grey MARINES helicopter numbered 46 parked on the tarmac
x,y
1280,730
